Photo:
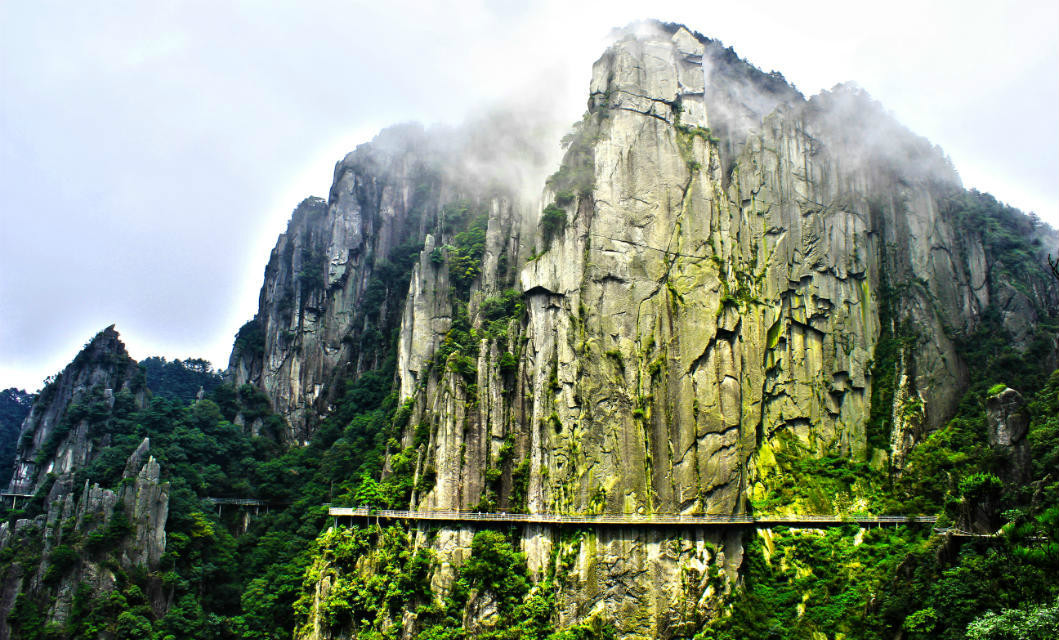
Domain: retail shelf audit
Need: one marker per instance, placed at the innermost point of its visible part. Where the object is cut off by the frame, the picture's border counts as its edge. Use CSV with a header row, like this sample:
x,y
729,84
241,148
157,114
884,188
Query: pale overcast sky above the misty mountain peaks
x,y
152,152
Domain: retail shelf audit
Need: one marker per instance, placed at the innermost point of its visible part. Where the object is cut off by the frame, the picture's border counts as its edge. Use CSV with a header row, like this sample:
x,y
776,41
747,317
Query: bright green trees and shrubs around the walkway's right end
x,y
904,581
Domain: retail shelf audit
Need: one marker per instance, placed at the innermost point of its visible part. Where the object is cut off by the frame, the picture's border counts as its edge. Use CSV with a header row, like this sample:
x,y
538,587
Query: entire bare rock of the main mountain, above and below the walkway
x,y
714,281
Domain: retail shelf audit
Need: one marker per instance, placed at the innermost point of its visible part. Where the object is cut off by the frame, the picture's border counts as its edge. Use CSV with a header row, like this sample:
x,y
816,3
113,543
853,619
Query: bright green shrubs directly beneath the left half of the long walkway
x,y
375,574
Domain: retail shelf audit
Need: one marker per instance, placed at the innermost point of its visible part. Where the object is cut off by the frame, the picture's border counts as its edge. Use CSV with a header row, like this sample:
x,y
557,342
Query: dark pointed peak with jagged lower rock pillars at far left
x,y
83,527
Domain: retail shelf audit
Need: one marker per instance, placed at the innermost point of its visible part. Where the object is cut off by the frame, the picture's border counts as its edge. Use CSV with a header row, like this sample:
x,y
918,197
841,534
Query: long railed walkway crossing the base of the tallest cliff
x,y
631,520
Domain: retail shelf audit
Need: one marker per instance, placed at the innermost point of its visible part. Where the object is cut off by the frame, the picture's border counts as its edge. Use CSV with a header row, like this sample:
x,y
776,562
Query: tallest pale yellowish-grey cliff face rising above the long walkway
x,y
687,321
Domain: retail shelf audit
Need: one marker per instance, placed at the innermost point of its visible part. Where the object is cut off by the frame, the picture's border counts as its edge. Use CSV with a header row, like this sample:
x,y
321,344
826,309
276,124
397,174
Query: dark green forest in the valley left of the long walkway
x,y
220,585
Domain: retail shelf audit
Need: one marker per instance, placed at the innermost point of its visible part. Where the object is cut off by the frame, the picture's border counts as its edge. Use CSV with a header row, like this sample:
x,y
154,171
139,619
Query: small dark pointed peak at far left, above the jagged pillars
x,y
58,436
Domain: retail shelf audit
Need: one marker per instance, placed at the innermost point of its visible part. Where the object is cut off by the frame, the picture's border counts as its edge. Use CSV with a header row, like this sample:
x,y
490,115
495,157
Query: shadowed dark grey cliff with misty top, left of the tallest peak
x,y
335,287
